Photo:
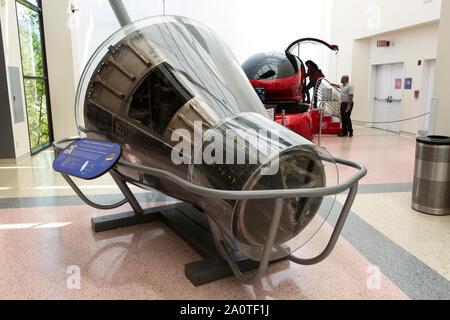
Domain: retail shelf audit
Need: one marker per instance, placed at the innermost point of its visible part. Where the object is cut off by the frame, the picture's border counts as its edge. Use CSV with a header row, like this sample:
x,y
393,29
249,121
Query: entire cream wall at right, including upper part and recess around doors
x,y
356,26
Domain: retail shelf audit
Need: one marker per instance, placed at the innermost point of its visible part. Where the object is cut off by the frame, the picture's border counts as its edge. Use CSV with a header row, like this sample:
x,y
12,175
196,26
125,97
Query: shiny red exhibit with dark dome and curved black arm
x,y
279,78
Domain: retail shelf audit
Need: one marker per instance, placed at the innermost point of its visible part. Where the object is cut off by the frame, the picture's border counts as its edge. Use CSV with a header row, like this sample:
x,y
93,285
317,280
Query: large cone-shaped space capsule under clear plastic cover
x,y
162,81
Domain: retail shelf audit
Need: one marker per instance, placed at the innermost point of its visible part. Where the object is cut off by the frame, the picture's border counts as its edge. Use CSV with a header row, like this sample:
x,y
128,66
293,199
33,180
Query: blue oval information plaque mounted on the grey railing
x,y
87,159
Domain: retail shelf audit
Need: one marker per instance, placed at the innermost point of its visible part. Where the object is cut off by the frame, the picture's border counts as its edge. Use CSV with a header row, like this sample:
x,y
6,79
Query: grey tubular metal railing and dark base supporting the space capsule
x,y
221,258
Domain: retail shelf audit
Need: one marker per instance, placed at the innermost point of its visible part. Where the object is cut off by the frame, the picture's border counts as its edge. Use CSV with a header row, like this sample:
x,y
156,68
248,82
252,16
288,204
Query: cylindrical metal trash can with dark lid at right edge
x,y
431,190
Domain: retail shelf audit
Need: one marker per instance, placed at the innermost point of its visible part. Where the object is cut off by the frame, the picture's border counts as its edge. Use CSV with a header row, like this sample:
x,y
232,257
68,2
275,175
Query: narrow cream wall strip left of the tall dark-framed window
x,y
12,55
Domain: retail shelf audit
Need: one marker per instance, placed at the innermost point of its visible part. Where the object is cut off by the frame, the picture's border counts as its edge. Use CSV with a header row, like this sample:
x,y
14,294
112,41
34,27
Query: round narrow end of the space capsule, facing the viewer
x,y
299,168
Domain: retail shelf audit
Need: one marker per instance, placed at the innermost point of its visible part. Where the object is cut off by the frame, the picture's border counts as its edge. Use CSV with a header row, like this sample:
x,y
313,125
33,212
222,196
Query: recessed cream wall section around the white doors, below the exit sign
x,y
409,46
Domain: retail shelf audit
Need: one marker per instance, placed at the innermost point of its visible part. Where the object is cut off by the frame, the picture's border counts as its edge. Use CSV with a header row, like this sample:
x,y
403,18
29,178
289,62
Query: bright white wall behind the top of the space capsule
x,y
247,26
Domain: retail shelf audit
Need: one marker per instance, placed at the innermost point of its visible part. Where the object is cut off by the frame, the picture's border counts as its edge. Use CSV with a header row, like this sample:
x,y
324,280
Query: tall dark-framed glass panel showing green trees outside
x,y
34,67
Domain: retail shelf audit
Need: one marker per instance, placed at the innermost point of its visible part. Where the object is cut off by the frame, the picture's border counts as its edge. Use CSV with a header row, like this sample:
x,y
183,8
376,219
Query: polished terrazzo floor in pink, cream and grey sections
x,y
386,251
